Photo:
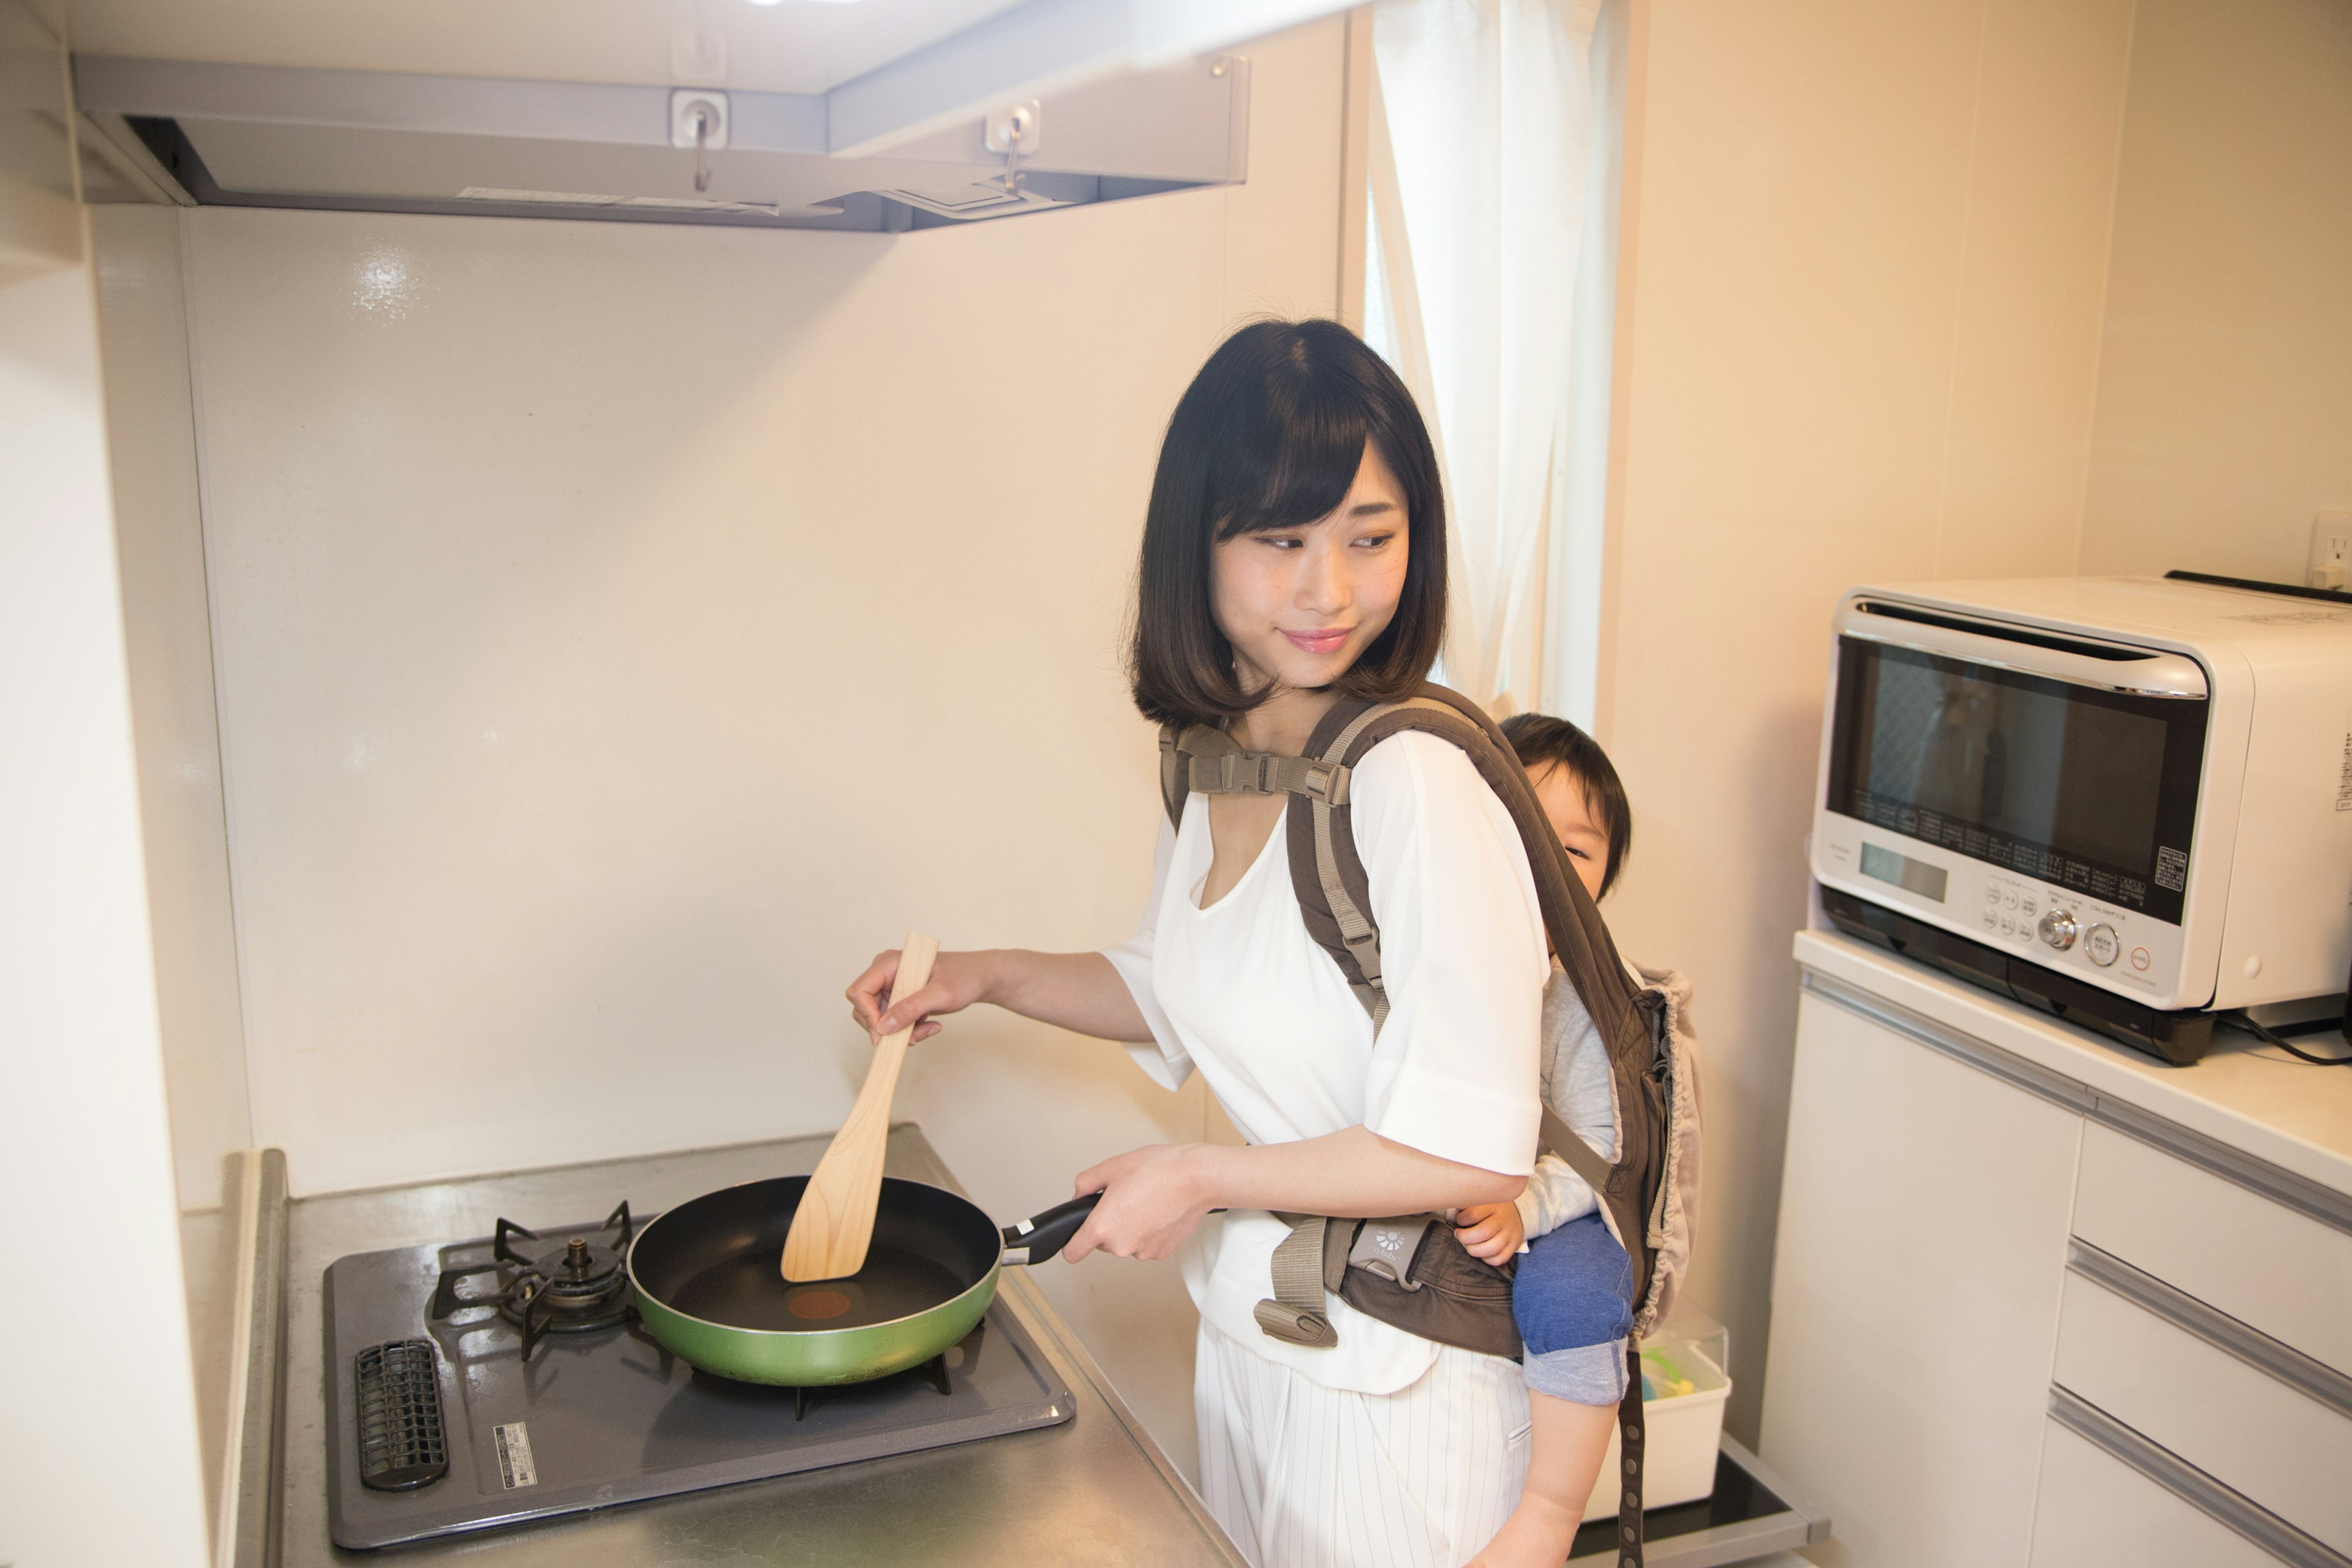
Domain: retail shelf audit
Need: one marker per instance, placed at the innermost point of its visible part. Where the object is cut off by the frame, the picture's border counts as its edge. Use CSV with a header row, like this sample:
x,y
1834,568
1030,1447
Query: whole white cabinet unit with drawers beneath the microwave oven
x,y
2040,1301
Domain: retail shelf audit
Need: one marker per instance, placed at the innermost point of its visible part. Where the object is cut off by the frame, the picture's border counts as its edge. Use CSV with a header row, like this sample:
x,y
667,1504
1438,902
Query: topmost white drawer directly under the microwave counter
x,y
2257,1261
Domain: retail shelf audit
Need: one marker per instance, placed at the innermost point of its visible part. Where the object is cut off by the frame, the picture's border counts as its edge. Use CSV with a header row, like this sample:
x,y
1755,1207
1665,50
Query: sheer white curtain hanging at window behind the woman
x,y
1481,163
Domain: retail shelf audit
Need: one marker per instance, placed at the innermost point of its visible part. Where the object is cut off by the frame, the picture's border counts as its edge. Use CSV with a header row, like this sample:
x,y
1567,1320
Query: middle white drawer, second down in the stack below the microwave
x,y
2189,1386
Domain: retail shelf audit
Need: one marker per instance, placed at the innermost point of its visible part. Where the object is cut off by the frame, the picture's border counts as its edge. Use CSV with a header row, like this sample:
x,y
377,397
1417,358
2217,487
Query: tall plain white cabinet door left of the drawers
x,y
1925,1205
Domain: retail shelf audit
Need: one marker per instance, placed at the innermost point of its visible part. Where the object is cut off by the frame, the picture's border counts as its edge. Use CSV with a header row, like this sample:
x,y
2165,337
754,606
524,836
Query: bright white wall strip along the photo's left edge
x,y
100,1376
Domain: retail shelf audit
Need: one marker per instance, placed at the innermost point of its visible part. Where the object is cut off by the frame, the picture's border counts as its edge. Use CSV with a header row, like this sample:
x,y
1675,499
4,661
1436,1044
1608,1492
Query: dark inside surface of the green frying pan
x,y
719,1259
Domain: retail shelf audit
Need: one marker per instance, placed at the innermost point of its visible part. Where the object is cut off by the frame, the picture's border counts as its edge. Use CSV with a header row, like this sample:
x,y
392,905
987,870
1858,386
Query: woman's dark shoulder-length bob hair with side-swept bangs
x,y
1271,436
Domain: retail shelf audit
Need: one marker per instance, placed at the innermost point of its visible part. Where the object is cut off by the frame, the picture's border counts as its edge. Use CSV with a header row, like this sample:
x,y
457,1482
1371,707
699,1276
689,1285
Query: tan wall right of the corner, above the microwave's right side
x,y
2226,384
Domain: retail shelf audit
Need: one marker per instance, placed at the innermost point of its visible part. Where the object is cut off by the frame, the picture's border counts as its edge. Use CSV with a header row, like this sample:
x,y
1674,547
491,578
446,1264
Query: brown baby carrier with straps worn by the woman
x,y
1412,1271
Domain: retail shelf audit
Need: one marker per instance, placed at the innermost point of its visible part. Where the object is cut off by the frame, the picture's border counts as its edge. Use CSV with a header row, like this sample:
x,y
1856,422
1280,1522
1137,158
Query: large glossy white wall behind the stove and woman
x,y
622,634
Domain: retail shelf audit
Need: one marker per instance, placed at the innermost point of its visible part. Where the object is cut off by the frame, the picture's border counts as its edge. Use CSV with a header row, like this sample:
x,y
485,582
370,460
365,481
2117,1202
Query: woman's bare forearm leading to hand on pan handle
x,y
1351,1174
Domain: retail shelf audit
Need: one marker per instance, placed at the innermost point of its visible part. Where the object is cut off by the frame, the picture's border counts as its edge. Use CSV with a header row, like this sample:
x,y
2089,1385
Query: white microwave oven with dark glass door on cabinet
x,y
2123,800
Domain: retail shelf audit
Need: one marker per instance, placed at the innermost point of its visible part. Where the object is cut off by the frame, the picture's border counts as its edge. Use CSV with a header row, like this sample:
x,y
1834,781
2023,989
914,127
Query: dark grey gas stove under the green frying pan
x,y
505,1379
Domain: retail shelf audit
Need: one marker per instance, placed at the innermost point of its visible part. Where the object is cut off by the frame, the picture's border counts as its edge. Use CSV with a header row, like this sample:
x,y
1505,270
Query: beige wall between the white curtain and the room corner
x,y
1857,340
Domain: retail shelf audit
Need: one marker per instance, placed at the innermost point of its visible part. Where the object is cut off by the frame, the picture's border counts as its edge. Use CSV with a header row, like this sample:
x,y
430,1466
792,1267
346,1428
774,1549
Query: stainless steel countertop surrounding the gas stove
x,y
1093,1492
